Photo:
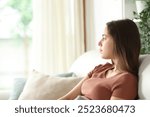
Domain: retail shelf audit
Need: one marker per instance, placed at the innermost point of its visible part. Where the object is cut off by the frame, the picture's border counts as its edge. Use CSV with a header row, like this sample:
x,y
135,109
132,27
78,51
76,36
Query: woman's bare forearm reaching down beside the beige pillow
x,y
75,91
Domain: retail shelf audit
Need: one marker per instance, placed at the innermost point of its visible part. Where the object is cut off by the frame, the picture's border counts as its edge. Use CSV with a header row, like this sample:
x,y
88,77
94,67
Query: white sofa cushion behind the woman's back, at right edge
x,y
144,77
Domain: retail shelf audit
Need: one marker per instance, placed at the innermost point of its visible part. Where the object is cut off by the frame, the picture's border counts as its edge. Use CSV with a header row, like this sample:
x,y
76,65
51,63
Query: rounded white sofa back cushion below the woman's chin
x,y
86,62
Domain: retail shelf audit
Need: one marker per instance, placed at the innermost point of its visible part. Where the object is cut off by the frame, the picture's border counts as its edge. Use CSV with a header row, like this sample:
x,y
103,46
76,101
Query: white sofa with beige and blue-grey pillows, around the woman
x,y
45,86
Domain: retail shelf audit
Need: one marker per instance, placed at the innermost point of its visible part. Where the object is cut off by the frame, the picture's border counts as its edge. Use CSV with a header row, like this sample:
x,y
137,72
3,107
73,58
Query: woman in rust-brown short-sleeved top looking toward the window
x,y
119,80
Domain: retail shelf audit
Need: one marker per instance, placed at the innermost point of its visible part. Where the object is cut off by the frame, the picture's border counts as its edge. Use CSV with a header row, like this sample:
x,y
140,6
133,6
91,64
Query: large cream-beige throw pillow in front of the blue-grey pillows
x,y
44,87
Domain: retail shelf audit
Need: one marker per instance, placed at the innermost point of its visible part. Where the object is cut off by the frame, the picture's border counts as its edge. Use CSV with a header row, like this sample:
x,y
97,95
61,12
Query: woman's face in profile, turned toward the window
x,y
106,45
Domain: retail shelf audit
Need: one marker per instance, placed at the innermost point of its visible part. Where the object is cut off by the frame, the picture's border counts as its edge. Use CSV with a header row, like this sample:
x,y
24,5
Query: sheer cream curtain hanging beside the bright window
x,y
58,34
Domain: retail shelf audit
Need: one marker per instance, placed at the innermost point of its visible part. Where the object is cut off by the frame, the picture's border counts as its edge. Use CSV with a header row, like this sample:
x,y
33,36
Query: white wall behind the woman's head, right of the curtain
x,y
100,11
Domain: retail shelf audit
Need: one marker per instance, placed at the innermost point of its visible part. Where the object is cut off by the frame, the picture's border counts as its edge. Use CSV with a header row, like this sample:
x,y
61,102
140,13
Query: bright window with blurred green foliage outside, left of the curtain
x,y
15,40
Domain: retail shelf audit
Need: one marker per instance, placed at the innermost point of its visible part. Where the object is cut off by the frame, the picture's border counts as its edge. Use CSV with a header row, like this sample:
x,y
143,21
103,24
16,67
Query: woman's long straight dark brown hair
x,y
127,43
